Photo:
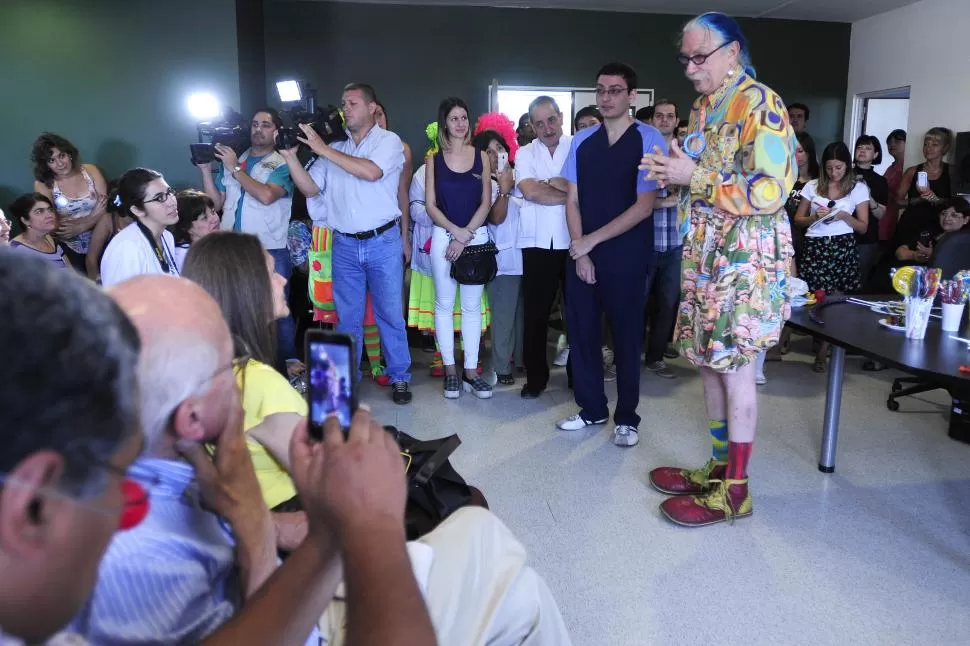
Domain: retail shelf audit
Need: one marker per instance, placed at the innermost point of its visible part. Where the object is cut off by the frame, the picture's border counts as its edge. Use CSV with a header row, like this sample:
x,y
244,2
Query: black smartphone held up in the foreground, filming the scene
x,y
330,379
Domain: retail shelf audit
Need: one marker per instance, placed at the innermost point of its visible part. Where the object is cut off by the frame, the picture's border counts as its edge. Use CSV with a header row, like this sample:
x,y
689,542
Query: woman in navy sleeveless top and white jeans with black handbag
x,y
458,193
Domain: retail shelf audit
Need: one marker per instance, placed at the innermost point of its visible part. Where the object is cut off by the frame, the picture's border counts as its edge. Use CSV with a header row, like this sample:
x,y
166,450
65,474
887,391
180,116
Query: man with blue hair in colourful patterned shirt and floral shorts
x,y
736,168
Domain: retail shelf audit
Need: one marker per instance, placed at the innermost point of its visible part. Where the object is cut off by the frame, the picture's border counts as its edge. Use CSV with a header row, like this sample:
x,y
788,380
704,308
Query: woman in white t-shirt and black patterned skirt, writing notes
x,y
833,209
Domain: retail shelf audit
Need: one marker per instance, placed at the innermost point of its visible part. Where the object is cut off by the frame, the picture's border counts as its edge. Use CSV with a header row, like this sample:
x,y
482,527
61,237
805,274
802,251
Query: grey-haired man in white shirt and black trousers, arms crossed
x,y
543,236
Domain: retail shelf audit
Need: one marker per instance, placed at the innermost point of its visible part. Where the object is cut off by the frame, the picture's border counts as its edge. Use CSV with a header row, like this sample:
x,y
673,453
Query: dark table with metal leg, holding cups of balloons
x,y
936,358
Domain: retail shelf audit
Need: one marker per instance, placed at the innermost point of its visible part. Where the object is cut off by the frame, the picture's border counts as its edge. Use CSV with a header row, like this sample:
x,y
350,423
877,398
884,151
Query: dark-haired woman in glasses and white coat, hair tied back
x,y
144,247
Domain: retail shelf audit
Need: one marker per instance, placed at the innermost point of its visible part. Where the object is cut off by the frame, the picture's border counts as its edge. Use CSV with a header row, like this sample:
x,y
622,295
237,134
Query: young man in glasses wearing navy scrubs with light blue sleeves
x,y
608,207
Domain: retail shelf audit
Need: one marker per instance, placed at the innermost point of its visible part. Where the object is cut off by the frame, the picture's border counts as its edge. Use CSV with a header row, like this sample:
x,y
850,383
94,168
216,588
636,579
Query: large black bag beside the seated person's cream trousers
x,y
435,489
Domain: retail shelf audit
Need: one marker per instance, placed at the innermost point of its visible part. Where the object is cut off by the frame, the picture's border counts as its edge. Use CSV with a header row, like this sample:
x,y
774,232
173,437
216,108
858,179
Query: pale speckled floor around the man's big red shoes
x,y
878,553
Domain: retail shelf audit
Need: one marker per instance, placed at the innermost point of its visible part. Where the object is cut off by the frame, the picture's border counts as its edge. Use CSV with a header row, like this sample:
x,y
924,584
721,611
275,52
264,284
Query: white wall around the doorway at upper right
x,y
925,46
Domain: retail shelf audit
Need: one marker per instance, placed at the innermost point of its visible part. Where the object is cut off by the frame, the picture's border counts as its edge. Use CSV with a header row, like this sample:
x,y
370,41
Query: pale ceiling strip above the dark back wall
x,y
824,10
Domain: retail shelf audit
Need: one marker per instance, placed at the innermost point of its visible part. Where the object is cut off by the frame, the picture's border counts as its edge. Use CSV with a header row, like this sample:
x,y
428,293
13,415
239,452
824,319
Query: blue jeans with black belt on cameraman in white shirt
x,y
375,265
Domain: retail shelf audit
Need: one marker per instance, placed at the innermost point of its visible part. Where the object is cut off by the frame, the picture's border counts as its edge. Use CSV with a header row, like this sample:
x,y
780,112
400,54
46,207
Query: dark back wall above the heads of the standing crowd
x,y
417,55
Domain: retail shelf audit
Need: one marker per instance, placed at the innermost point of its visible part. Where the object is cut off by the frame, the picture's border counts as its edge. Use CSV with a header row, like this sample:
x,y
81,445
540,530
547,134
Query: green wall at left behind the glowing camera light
x,y
112,77
